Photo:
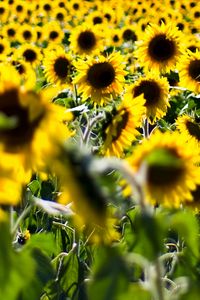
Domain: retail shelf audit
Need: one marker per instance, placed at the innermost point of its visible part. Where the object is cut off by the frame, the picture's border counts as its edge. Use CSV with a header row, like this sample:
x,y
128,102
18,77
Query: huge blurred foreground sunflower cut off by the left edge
x,y
34,122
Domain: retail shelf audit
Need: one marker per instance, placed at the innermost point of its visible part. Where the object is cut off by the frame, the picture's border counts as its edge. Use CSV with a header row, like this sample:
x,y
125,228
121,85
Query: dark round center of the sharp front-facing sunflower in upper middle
x,y
101,75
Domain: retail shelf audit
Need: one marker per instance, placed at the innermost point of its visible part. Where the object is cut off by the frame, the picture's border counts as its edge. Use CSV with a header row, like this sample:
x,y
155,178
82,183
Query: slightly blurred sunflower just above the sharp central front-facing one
x,y
86,40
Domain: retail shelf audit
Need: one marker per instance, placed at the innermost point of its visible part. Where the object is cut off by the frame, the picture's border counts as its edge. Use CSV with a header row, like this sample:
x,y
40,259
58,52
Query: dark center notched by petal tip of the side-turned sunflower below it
x,y
151,91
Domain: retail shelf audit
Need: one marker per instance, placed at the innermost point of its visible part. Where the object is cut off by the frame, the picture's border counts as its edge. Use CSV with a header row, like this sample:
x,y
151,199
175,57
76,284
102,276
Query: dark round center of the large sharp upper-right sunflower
x,y
161,48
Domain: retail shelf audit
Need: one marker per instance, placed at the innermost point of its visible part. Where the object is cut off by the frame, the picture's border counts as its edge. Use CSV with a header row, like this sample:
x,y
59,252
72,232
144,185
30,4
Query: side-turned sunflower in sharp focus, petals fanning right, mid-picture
x,y
120,129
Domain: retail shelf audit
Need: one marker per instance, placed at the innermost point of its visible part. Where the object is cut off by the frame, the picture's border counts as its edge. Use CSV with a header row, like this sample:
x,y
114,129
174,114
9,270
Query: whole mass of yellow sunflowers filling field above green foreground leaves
x,y
101,74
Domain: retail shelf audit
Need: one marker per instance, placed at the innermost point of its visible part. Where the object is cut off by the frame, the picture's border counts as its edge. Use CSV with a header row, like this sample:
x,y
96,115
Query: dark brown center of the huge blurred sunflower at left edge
x,y
22,133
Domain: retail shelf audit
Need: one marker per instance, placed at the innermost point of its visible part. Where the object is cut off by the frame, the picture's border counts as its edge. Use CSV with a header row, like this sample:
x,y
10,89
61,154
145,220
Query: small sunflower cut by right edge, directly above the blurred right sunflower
x,y
188,126
